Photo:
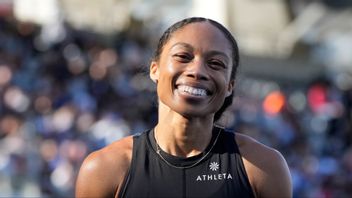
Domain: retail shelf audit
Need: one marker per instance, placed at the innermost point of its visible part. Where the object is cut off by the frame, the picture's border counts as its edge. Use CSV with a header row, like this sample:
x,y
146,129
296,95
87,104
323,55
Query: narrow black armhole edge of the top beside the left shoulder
x,y
129,172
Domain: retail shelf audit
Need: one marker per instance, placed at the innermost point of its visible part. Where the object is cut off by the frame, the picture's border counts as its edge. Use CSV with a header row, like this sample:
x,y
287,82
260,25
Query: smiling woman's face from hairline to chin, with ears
x,y
193,71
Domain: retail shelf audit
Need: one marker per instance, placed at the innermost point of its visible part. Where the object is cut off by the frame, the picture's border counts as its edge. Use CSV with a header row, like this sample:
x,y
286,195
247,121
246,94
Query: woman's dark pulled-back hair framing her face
x,y
235,54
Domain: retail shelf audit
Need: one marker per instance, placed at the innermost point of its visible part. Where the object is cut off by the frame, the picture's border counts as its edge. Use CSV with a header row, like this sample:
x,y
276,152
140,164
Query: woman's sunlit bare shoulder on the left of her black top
x,y
103,171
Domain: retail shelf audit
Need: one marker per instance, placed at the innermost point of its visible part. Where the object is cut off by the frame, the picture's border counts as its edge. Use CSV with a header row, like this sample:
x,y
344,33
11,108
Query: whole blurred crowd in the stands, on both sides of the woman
x,y
61,100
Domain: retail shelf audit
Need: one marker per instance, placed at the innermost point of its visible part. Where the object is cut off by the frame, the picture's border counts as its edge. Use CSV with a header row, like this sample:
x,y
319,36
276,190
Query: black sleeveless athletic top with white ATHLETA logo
x,y
217,172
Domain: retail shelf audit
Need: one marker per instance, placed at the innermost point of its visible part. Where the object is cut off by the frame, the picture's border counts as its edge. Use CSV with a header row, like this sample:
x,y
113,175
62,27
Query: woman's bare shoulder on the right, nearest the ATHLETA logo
x,y
266,168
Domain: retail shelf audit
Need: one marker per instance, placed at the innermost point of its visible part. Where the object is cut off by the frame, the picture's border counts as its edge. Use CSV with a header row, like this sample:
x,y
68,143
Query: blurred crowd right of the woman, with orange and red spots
x,y
309,125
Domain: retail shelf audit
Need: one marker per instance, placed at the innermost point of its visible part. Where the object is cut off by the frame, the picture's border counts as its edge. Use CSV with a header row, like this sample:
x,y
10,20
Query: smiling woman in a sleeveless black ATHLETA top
x,y
186,154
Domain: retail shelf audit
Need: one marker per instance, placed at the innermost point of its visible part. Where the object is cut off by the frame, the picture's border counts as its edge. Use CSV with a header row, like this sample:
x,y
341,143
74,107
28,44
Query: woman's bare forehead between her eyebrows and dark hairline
x,y
203,35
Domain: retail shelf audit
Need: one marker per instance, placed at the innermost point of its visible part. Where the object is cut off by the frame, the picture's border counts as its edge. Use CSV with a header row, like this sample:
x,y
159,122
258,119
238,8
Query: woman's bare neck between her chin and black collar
x,y
181,136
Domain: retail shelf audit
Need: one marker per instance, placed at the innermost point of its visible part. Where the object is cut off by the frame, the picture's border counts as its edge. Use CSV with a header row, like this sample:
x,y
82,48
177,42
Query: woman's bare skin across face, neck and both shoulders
x,y
201,61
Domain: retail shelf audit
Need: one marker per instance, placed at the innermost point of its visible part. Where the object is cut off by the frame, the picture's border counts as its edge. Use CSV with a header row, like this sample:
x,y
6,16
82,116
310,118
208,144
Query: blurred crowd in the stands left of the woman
x,y
64,99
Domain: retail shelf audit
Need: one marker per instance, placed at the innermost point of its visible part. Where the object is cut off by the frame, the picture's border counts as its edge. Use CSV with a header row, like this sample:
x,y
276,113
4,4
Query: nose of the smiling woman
x,y
197,70
